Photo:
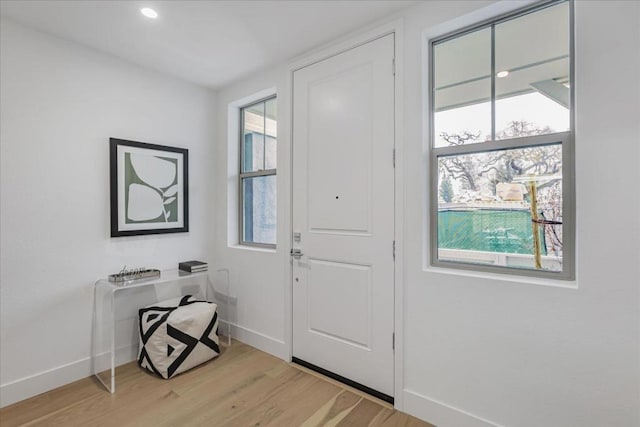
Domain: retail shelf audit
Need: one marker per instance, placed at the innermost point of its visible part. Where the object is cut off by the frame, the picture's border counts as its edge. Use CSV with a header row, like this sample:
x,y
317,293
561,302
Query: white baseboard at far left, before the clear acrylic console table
x,y
33,385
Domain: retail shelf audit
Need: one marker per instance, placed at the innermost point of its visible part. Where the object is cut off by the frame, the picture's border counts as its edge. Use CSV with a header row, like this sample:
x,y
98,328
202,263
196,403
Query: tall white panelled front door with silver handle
x,y
343,214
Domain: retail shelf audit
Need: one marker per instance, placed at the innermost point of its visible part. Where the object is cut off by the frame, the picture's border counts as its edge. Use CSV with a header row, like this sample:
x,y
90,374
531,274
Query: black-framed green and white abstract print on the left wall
x,y
145,180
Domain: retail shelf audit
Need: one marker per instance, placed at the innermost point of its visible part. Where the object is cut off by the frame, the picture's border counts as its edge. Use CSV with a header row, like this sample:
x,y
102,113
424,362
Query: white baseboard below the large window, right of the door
x,y
440,413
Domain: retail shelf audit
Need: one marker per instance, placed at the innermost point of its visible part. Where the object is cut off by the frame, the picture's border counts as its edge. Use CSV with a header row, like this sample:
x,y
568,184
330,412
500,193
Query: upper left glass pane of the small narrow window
x,y
253,138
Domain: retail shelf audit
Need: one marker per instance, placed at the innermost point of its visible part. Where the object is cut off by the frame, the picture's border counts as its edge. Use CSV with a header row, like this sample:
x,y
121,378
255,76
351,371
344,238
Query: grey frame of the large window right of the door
x,y
567,139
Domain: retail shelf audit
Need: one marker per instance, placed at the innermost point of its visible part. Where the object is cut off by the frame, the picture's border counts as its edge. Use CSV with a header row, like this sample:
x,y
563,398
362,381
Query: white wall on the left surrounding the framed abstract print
x,y
60,103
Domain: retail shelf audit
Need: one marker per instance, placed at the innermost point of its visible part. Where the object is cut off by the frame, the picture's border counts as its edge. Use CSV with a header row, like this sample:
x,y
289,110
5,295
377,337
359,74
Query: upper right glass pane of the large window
x,y
532,73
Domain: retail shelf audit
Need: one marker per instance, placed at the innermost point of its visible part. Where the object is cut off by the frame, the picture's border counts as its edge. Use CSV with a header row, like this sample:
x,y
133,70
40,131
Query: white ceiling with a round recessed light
x,y
210,43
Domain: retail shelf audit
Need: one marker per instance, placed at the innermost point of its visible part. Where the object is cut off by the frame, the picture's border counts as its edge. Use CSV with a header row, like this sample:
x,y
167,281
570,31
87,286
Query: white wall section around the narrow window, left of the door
x,y
258,277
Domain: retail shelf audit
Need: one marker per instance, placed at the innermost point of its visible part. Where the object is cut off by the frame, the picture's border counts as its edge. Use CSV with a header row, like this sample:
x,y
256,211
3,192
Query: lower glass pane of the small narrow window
x,y
259,209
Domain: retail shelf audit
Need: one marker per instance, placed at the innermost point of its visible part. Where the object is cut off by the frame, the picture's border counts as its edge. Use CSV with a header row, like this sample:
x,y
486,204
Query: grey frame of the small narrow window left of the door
x,y
244,175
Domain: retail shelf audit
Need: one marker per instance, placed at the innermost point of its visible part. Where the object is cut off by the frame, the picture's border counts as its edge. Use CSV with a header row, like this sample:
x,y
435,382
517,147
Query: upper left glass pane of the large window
x,y
462,89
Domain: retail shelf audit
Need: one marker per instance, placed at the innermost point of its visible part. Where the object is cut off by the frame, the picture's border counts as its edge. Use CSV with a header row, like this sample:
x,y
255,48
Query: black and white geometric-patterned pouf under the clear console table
x,y
177,334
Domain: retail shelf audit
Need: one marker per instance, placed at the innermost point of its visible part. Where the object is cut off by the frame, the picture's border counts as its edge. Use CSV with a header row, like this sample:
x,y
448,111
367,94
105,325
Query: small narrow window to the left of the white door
x,y
258,158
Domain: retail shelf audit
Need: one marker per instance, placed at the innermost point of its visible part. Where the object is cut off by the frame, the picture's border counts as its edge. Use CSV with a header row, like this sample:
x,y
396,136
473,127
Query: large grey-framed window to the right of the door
x,y
501,152
